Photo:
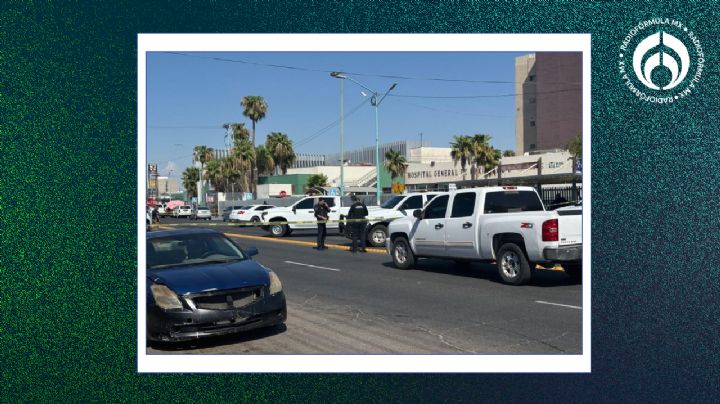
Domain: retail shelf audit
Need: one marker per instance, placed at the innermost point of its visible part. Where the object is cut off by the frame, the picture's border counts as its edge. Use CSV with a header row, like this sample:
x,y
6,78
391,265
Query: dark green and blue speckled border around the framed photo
x,y
68,205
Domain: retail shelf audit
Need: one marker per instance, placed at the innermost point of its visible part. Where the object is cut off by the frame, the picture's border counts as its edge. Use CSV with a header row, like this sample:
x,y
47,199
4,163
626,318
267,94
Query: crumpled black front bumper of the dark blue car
x,y
182,325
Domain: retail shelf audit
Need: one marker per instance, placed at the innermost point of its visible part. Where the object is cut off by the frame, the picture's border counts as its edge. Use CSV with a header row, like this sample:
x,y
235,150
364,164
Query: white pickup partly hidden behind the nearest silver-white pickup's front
x,y
394,208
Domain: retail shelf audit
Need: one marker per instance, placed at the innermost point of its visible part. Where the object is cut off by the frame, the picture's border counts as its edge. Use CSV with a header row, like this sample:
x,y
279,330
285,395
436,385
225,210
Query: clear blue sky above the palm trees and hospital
x,y
191,95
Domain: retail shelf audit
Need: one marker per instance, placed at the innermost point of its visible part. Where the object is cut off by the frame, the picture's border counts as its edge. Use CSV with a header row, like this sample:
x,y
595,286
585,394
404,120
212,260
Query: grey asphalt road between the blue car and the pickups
x,y
344,303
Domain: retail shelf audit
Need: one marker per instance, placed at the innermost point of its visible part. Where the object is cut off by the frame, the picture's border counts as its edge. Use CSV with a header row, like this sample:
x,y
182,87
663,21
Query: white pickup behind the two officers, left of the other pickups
x,y
300,215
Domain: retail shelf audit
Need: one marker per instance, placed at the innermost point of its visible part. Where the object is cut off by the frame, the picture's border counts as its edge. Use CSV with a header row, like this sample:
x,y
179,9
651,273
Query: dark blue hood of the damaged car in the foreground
x,y
199,278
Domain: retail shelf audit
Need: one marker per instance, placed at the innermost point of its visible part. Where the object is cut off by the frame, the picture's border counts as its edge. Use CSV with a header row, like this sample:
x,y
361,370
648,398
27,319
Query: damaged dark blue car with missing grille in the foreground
x,y
200,283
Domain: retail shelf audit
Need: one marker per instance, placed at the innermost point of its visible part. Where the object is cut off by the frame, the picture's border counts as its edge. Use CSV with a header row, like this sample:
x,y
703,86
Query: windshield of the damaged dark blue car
x,y
191,249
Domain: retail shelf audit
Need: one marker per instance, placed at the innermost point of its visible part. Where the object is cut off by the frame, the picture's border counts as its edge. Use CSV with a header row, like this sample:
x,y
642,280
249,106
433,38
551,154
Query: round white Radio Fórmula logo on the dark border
x,y
660,53
